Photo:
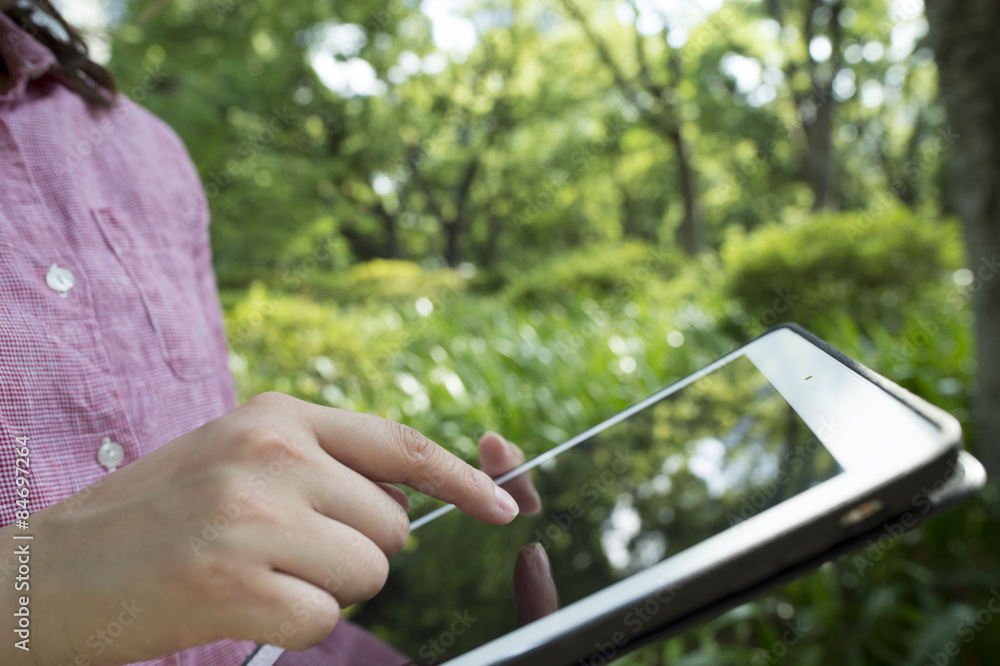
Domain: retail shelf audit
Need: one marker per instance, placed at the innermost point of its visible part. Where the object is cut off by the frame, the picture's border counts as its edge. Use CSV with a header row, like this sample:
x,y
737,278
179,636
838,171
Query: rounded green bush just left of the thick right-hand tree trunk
x,y
879,267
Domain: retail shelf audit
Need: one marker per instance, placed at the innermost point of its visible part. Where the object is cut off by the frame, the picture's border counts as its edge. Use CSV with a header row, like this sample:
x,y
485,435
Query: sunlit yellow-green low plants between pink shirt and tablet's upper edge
x,y
472,362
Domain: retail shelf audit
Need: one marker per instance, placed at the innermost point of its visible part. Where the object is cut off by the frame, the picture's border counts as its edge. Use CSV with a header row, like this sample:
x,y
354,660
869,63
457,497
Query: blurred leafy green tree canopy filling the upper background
x,y
525,146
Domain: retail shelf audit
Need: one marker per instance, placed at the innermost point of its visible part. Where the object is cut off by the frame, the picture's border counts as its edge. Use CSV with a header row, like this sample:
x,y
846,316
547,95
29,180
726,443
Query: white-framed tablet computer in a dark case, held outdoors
x,y
766,463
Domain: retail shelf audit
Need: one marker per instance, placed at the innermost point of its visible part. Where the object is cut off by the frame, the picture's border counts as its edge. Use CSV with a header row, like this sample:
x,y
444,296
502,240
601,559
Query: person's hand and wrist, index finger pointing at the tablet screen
x,y
260,525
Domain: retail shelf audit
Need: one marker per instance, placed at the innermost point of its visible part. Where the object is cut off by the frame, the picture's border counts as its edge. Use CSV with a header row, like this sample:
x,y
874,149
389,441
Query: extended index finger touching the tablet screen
x,y
390,452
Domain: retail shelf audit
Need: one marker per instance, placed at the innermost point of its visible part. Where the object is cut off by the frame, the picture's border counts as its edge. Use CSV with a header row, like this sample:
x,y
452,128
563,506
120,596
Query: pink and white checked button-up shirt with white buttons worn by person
x,y
111,336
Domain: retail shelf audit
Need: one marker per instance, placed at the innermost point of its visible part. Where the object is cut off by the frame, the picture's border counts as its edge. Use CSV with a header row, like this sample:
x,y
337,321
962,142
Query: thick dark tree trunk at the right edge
x,y
964,38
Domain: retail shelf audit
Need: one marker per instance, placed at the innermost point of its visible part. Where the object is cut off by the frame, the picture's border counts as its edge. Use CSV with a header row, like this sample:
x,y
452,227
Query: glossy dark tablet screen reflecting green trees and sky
x,y
683,469
